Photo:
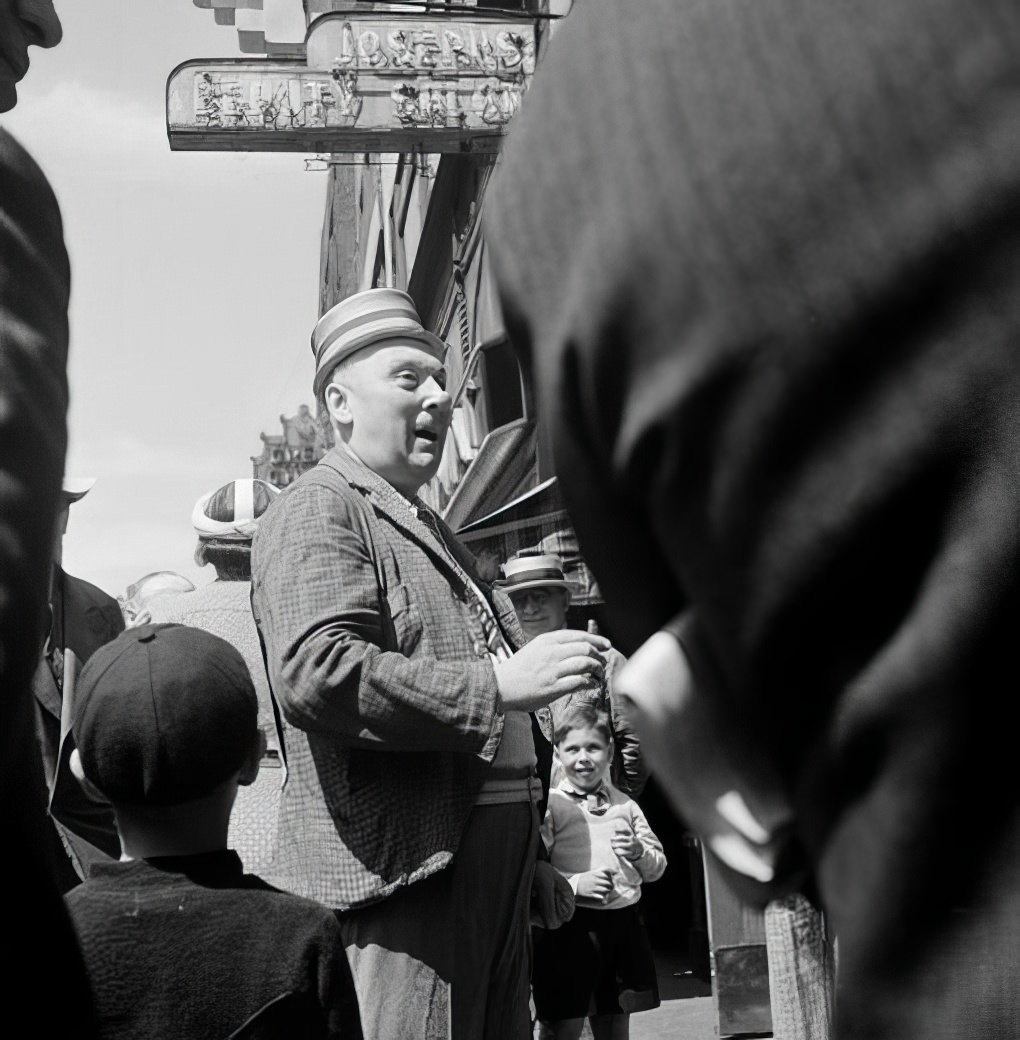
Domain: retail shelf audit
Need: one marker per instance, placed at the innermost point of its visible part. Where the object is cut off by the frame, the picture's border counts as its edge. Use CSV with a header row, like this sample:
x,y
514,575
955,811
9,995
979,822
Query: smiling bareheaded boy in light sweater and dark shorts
x,y
598,965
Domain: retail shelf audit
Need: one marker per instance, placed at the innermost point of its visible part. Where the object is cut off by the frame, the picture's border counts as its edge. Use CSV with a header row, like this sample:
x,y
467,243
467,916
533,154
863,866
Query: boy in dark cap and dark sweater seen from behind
x,y
180,943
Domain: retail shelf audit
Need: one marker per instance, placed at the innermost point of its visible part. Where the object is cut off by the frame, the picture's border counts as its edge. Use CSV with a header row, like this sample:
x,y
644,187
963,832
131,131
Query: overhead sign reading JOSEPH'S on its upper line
x,y
371,85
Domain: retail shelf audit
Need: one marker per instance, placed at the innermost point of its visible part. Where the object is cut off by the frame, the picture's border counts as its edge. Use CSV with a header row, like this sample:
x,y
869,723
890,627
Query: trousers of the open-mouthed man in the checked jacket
x,y
450,957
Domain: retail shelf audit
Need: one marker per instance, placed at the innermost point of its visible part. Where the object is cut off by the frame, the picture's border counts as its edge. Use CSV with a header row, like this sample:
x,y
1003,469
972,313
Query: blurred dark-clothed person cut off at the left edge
x,y
35,287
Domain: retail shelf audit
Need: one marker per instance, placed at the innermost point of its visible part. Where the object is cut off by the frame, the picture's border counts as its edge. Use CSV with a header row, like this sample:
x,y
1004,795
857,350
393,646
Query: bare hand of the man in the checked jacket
x,y
550,667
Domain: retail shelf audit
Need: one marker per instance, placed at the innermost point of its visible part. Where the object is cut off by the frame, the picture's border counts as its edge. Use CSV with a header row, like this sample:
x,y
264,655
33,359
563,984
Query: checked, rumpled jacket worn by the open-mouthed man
x,y
380,666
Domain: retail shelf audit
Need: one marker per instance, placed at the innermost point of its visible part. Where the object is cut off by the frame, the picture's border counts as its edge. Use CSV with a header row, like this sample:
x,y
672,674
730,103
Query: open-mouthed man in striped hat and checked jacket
x,y
413,765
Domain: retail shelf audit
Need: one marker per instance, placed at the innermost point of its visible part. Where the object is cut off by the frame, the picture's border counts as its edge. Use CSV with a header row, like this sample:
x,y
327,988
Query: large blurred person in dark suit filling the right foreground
x,y
764,263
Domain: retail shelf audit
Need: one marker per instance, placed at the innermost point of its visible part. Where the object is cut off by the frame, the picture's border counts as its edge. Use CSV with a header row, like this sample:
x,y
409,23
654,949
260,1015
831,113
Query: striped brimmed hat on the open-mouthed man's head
x,y
365,319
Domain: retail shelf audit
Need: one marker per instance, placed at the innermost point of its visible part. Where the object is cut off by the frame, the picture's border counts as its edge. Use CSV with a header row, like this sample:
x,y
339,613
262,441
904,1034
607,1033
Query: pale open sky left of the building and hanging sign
x,y
194,283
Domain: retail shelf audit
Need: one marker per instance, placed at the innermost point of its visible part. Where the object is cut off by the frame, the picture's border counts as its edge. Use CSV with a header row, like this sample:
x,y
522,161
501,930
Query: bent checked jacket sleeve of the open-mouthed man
x,y
332,640
